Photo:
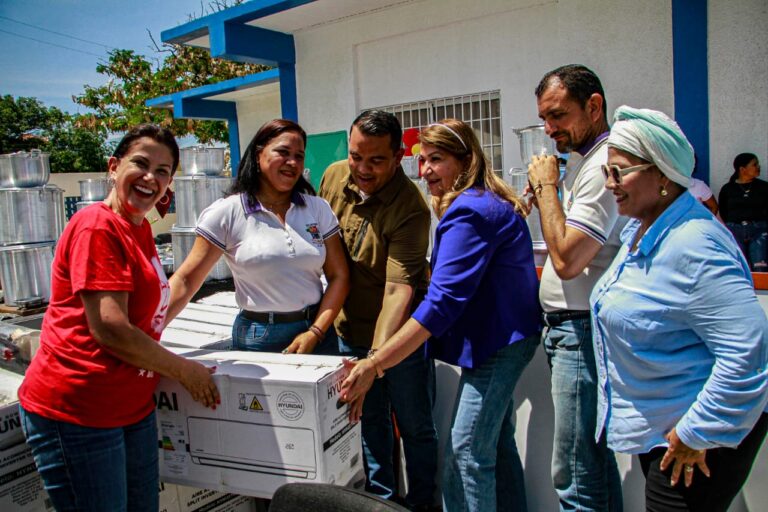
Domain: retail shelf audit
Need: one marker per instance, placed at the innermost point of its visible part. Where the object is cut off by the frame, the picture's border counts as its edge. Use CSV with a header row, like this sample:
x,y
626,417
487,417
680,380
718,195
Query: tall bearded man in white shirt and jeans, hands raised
x,y
579,221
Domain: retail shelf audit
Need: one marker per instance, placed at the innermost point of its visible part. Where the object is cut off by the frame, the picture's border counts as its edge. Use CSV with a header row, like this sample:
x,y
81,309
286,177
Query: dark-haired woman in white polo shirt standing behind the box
x,y
277,238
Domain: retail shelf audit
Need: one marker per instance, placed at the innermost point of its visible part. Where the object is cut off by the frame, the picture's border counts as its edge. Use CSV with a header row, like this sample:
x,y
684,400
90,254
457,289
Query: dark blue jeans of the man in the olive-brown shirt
x,y
409,389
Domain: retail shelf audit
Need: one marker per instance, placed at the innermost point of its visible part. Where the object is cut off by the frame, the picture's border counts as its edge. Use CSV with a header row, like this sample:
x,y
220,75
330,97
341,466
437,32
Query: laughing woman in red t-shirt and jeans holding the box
x,y
86,400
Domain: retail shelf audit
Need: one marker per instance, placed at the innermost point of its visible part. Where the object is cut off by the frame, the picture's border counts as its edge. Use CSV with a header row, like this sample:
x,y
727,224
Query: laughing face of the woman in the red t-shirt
x,y
141,178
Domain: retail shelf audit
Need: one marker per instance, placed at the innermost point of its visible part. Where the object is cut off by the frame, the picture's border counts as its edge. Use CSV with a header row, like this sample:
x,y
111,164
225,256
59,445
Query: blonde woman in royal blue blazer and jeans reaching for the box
x,y
481,312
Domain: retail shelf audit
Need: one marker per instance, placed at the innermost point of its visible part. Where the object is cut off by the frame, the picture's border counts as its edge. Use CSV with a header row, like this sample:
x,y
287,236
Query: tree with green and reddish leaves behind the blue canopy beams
x,y
133,79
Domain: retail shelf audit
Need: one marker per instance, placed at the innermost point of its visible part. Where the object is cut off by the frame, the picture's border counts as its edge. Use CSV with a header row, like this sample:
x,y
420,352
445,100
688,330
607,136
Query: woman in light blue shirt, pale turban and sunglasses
x,y
680,338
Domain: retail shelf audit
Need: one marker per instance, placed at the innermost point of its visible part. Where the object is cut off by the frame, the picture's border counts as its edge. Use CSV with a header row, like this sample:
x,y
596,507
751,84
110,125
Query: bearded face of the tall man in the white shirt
x,y
566,121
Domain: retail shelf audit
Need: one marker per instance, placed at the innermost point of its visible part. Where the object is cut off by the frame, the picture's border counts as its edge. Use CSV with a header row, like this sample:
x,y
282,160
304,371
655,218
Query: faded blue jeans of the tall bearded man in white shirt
x,y
584,473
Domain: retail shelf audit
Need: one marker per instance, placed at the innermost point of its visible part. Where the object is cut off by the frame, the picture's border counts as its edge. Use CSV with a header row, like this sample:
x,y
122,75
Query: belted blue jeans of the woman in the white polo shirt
x,y
250,335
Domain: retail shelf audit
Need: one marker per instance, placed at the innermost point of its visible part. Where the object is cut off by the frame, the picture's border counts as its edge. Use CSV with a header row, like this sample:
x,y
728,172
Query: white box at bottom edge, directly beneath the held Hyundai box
x,y
180,498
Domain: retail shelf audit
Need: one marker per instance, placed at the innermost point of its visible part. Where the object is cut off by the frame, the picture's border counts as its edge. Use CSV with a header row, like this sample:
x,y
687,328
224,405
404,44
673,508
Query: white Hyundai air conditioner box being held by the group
x,y
279,421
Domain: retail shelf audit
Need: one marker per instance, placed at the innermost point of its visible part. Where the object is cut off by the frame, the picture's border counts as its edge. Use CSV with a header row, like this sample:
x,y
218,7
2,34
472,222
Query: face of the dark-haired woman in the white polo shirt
x,y
281,163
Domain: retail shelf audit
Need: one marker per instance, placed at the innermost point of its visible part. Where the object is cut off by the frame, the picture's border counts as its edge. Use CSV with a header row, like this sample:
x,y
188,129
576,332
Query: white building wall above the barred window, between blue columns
x,y
436,48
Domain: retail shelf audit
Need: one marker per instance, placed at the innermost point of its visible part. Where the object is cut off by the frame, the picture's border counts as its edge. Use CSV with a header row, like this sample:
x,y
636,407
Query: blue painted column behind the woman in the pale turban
x,y
689,58
